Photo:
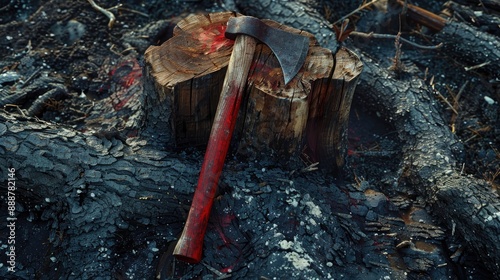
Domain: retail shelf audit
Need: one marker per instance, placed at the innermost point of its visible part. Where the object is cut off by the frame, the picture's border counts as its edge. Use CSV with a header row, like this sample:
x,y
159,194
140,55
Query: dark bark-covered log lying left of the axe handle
x,y
90,190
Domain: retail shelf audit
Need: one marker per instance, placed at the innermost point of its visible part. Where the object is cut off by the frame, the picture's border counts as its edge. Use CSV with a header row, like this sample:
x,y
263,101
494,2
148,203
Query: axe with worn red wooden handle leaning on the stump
x,y
291,51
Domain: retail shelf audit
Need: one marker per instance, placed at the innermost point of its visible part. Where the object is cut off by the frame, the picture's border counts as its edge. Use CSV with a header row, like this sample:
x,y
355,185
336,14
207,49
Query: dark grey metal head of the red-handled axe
x,y
290,49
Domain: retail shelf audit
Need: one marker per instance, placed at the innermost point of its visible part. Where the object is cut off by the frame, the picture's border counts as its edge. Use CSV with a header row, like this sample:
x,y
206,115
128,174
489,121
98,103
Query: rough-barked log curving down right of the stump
x,y
431,164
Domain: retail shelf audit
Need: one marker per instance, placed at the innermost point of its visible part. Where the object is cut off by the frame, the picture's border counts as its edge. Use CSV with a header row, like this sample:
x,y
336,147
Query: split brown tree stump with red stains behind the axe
x,y
309,114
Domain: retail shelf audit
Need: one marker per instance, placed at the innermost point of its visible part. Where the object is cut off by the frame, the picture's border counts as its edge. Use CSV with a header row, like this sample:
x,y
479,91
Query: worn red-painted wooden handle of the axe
x,y
190,244
